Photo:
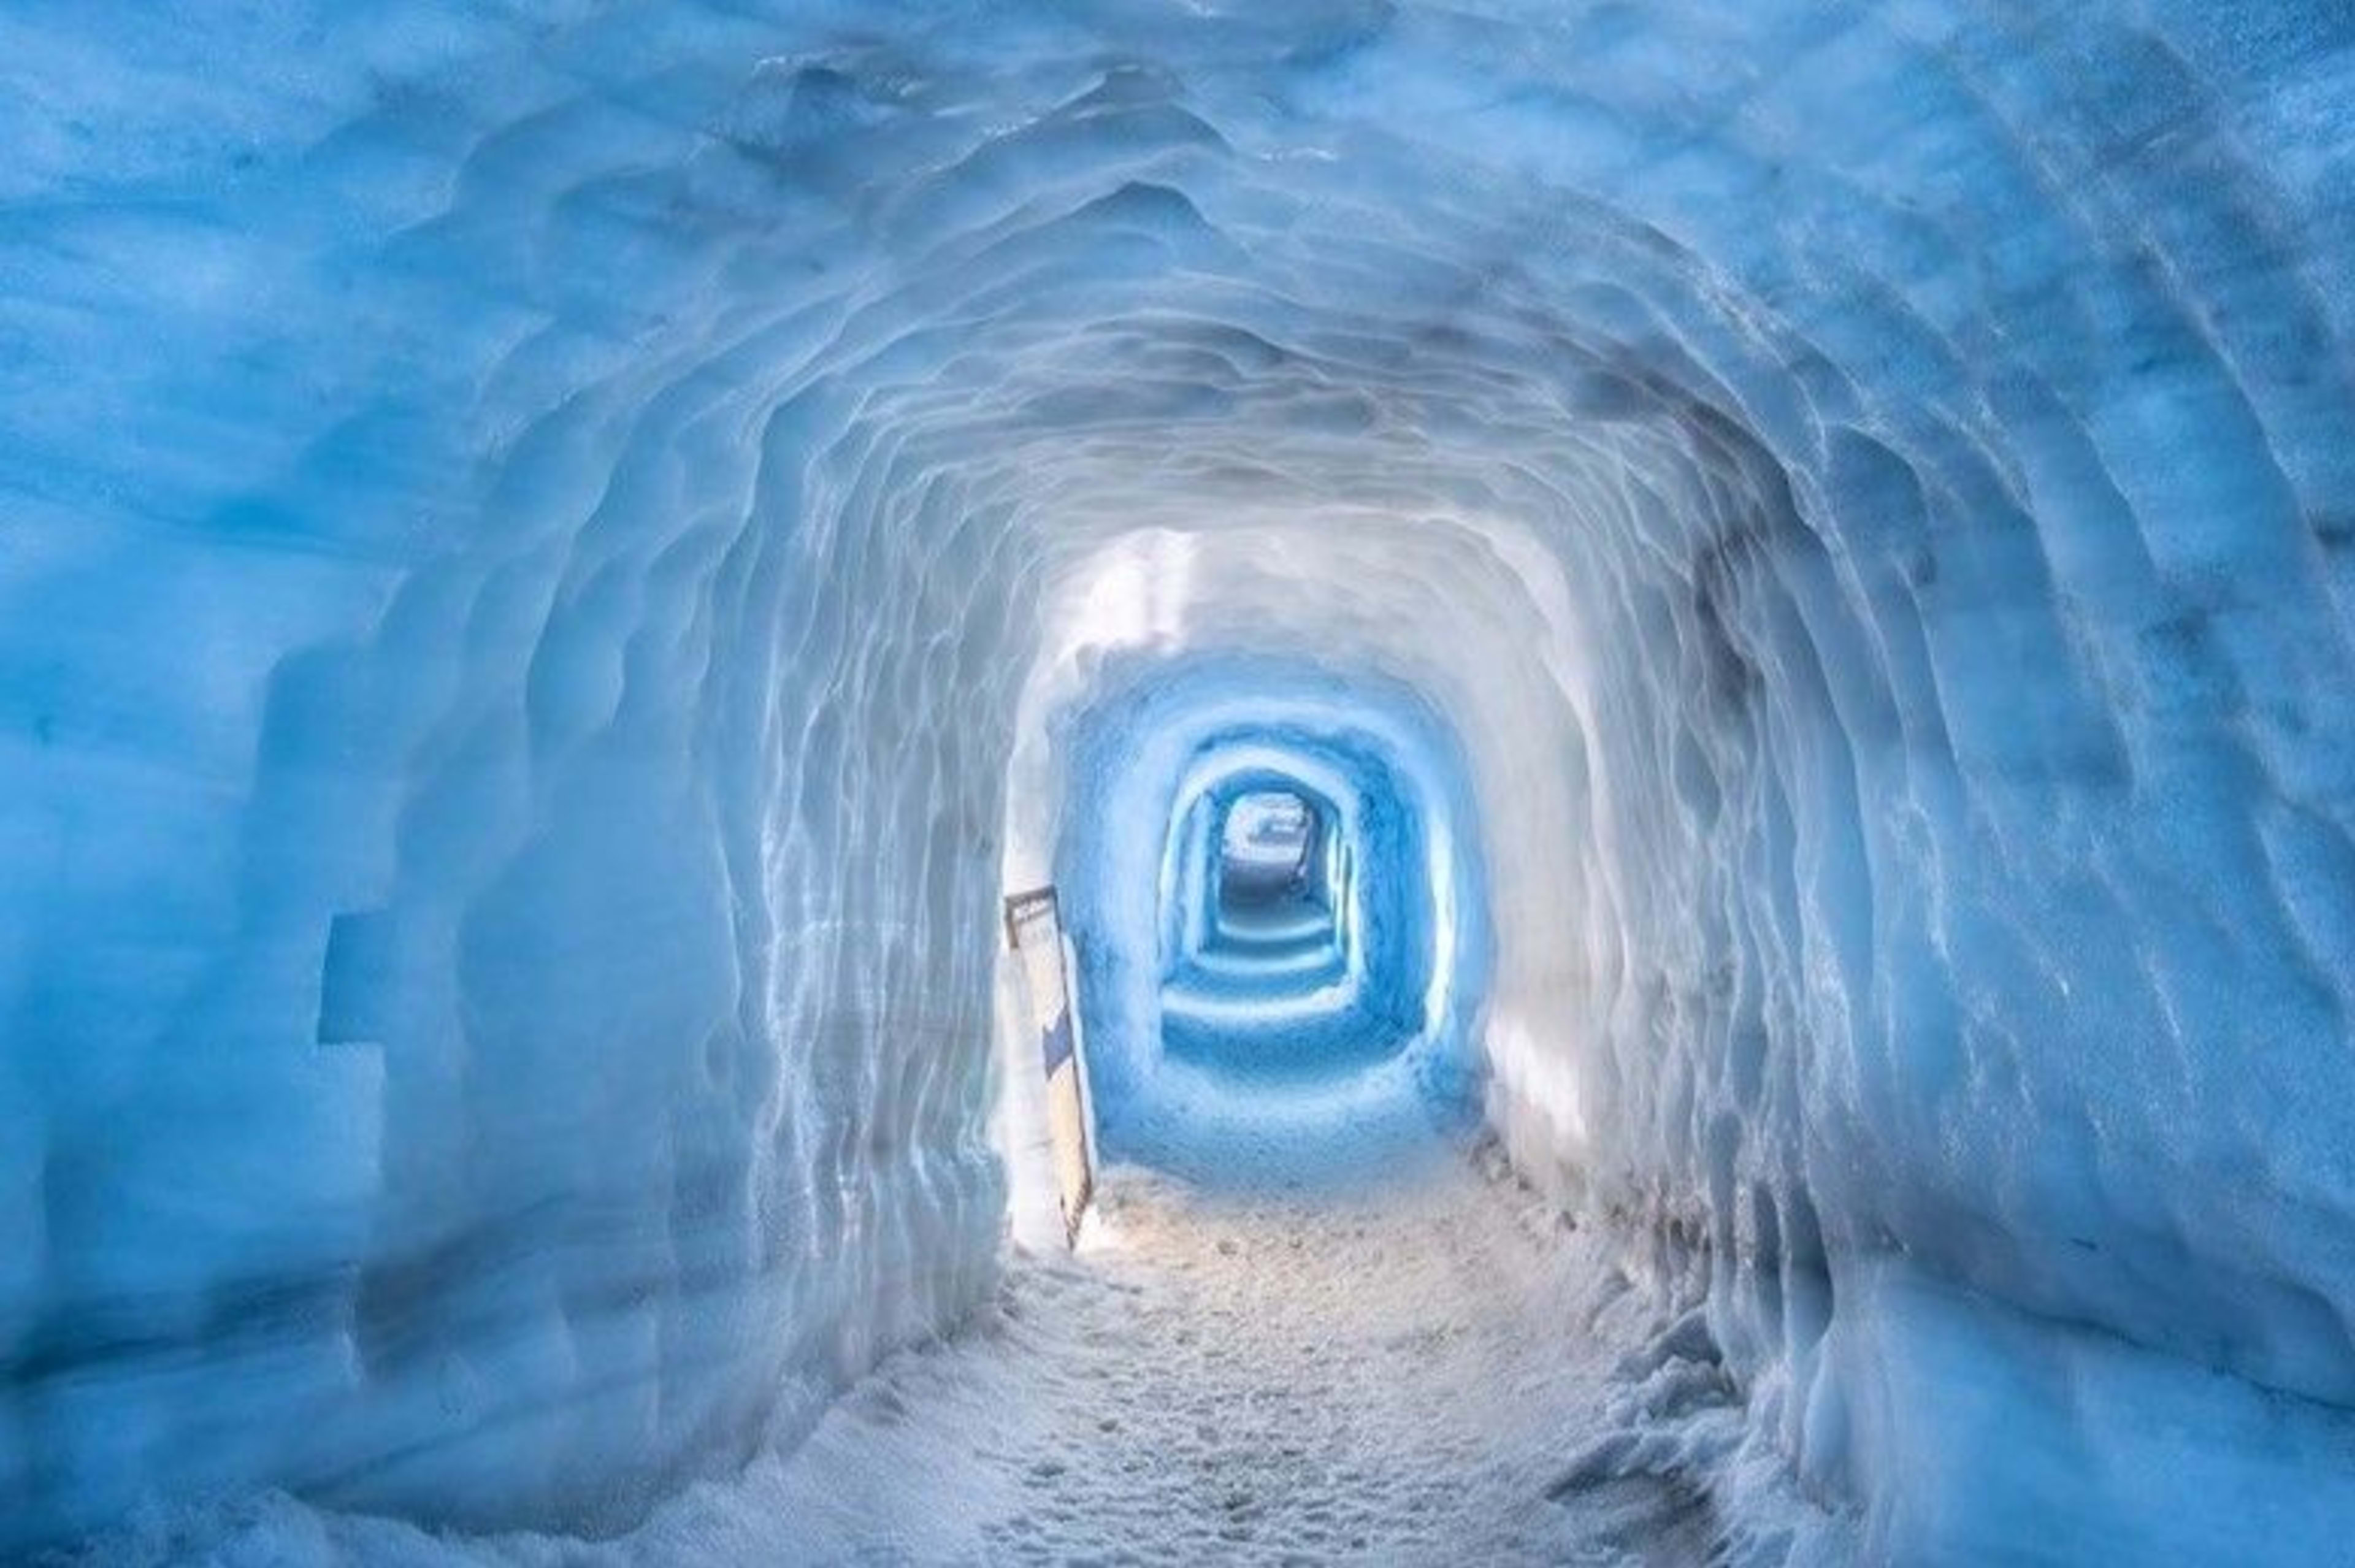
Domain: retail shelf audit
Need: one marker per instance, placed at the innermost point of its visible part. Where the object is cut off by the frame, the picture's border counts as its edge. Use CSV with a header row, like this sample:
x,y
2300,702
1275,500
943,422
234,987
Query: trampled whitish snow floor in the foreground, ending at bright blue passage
x,y
1393,1376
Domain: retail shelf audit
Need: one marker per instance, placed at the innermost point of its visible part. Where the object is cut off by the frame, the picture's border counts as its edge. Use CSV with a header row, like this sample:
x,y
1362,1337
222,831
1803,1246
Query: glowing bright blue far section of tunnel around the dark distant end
x,y
1247,1075
